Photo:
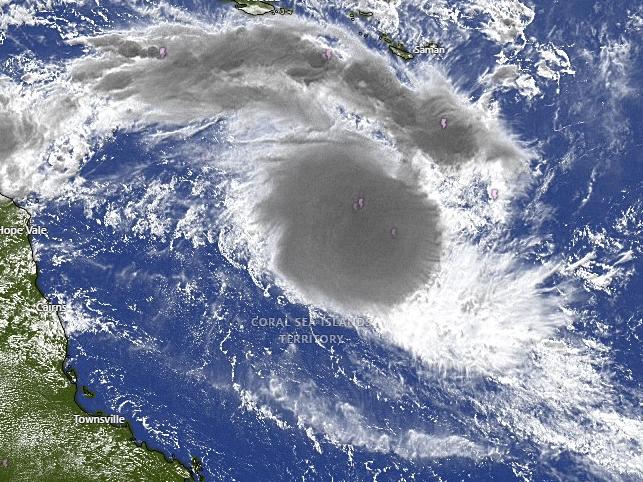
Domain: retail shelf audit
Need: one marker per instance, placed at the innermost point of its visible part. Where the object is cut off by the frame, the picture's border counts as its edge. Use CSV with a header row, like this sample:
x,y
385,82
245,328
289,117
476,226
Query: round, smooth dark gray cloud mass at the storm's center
x,y
347,232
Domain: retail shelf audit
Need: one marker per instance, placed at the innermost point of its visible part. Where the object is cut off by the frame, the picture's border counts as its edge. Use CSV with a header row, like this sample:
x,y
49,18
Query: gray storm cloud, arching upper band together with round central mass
x,y
348,223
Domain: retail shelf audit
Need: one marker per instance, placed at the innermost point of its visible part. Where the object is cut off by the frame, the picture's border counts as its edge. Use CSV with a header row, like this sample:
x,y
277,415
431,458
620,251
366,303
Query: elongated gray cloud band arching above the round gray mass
x,y
281,70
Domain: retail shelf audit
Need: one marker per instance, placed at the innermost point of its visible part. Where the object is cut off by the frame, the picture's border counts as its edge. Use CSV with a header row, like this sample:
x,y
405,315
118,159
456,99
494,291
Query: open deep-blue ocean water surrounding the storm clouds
x,y
168,332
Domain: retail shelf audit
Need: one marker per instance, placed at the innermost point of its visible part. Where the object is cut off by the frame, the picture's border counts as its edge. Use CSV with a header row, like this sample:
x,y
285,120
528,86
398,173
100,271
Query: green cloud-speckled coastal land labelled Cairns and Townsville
x,y
39,438
